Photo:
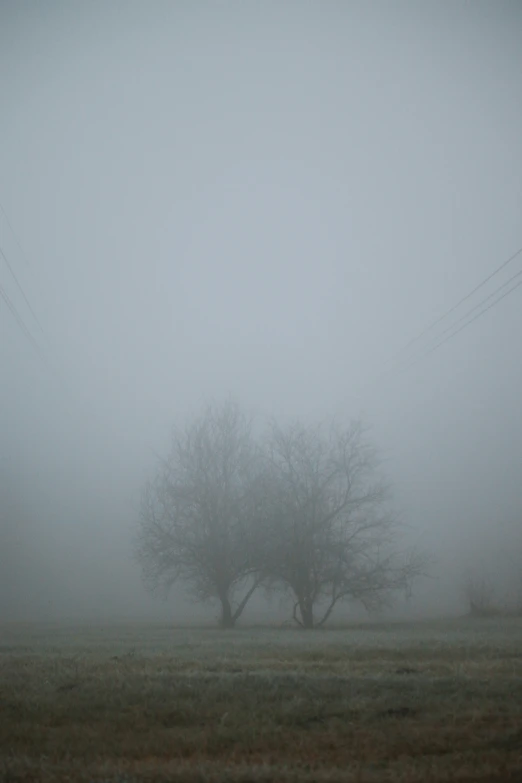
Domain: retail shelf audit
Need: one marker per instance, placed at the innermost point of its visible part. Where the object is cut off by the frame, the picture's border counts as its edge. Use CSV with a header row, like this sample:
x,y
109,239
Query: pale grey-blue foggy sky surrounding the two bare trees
x,y
265,200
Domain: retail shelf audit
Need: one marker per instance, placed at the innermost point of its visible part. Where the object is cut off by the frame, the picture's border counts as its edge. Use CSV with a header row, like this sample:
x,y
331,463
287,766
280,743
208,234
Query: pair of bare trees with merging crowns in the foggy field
x,y
299,509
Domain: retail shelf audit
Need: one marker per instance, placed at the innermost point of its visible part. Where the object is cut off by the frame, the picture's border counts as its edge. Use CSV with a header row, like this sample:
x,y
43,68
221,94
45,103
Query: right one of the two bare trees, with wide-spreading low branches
x,y
332,536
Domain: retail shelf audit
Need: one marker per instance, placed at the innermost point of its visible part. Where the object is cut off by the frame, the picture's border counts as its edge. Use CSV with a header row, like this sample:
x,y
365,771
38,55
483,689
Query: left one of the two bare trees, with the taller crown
x,y
198,515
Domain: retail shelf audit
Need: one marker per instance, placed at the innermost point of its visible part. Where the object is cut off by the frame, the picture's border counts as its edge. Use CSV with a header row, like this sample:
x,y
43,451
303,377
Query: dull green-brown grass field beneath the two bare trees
x,y
397,702
